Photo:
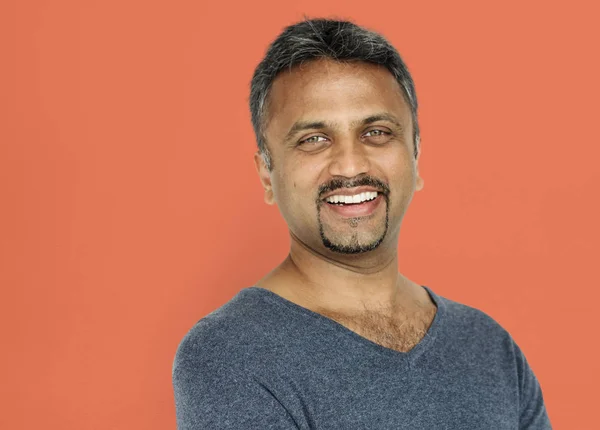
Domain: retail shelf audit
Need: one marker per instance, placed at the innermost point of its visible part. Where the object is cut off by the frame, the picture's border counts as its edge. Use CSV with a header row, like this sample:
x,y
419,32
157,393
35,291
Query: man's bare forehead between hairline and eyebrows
x,y
332,91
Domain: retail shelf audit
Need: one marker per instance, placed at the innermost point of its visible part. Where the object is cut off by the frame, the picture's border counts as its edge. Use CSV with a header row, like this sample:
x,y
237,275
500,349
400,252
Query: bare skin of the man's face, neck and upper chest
x,y
362,290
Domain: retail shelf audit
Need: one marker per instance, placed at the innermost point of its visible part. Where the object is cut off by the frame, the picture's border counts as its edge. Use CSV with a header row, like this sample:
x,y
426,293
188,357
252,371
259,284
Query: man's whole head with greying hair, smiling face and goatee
x,y
335,115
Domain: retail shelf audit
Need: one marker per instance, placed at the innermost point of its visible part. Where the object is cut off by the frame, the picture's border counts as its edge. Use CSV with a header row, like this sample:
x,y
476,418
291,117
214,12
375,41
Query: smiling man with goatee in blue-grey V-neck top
x,y
335,337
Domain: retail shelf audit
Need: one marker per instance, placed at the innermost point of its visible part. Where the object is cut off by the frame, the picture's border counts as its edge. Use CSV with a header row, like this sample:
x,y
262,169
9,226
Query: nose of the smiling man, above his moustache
x,y
349,158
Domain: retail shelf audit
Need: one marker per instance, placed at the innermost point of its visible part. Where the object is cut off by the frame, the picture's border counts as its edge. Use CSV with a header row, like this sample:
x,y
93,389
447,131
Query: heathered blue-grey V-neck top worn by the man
x,y
263,362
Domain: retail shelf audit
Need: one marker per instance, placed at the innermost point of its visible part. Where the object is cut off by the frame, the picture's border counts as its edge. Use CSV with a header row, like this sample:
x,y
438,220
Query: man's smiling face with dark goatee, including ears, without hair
x,y
340,138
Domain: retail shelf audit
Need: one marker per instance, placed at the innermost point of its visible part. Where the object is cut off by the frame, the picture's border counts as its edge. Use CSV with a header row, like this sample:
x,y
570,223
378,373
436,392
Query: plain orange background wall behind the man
x,y
131,207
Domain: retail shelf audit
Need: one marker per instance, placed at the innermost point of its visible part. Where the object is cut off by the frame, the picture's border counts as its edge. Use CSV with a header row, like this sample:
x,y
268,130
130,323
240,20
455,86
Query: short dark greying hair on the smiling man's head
x,y
324,38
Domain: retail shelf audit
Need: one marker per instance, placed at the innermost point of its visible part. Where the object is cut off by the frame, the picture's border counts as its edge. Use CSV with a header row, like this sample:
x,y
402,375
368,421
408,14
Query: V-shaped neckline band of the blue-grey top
x,y
416,351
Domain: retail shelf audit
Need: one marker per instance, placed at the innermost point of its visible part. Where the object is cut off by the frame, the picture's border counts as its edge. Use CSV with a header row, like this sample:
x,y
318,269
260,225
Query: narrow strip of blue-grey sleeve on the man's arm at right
x,y
532,410
